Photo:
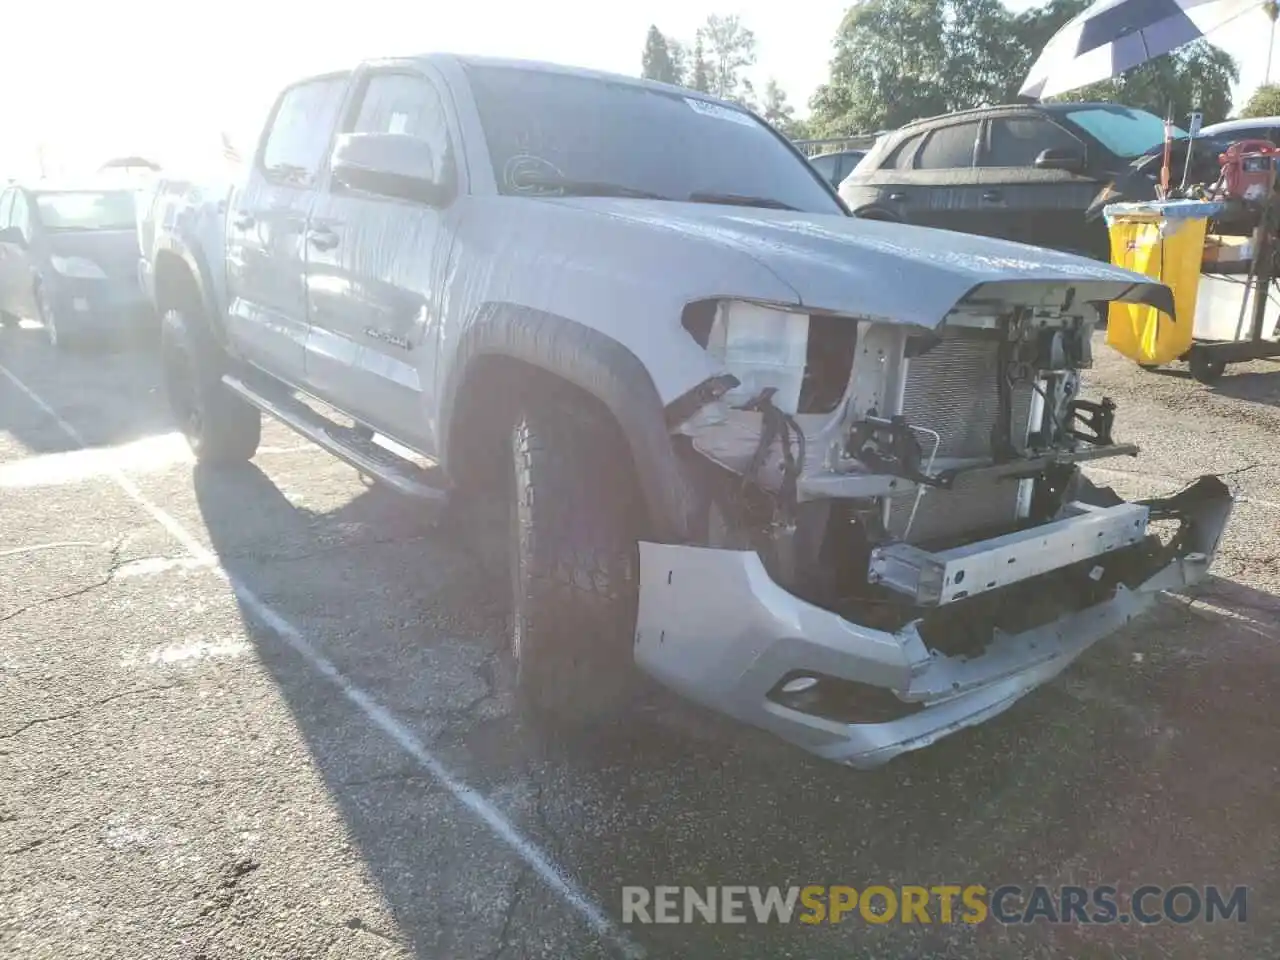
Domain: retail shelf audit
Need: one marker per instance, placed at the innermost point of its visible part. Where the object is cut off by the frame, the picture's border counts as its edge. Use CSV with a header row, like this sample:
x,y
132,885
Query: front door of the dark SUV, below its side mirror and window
x,y
1040,207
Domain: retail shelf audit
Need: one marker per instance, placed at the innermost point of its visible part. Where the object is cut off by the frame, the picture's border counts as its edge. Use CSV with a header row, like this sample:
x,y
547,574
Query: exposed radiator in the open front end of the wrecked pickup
x,y
953,390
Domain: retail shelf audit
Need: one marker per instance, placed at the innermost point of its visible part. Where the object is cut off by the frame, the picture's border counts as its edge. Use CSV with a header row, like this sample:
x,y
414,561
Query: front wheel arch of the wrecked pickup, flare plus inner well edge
x,y
508,349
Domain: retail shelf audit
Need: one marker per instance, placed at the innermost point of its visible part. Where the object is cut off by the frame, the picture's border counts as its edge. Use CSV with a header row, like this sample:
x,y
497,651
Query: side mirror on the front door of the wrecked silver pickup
x,y
391,166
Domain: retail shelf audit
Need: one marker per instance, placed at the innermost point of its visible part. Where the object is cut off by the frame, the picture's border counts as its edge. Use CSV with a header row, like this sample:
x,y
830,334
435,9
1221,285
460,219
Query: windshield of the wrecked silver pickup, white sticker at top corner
x,y
543,127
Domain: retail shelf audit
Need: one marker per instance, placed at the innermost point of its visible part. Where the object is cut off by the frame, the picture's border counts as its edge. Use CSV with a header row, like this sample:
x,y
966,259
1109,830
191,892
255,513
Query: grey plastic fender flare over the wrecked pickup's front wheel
x,y
601,367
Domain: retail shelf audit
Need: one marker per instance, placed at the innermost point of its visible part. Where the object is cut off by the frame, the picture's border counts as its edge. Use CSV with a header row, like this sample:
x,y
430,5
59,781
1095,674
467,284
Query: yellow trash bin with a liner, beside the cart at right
x,y
1167,243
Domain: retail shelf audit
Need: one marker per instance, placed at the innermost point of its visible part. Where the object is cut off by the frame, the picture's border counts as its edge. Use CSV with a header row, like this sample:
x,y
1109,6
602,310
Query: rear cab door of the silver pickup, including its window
x,y
267,221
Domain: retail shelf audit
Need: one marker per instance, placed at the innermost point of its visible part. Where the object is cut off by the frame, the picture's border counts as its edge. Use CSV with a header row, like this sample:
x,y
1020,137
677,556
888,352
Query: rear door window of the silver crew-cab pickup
x,y
301,130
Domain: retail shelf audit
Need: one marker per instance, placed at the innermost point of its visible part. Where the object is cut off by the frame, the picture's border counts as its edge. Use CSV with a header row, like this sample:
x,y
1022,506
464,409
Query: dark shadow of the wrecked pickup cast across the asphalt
x,y
1085,781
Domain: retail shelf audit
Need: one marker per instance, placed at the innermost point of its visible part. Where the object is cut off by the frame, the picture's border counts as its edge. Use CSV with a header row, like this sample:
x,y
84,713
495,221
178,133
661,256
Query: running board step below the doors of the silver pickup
x,y
349,445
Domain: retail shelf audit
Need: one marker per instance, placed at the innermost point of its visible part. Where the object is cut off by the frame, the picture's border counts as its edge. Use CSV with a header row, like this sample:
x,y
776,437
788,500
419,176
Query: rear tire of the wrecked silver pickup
x,y
221,427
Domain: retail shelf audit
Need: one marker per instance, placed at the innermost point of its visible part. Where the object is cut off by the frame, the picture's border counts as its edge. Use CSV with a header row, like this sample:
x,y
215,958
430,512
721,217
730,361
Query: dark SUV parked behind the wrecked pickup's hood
x,y
1023,172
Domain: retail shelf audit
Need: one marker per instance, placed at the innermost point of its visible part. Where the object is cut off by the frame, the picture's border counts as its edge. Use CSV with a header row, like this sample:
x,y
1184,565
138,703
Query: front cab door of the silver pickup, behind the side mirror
x,y
376,269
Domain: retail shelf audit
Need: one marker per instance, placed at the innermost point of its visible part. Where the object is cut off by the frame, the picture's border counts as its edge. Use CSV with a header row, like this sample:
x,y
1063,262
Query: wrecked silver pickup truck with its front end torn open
x,y
820,474
